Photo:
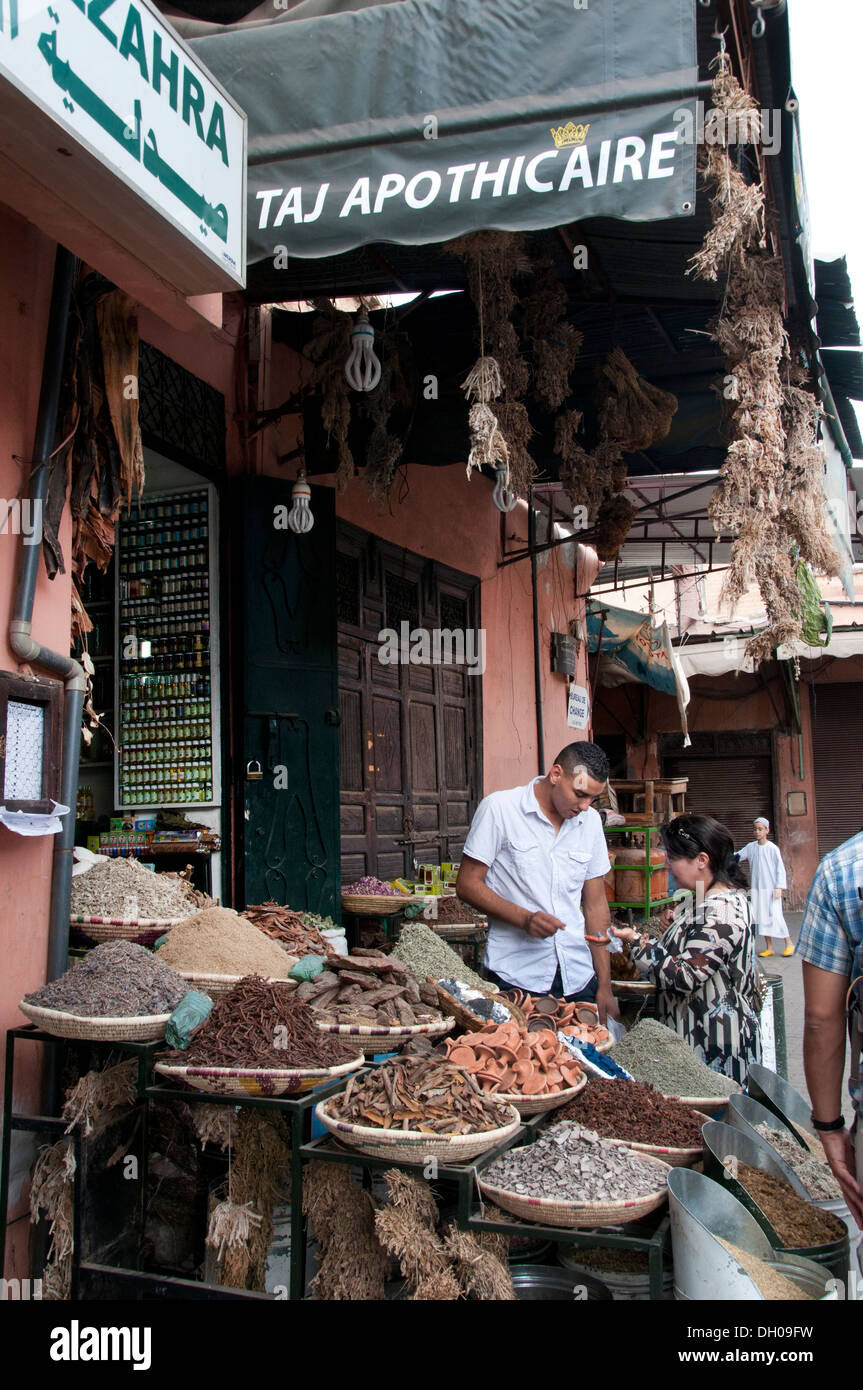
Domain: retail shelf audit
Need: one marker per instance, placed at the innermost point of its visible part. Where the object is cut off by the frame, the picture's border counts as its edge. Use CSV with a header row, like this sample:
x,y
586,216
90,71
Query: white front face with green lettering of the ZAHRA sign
x,y
123,85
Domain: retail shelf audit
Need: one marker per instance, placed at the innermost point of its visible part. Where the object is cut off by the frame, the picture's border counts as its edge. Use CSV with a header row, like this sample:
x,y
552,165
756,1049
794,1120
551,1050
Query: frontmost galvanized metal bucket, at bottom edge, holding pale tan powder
x,y
704,1271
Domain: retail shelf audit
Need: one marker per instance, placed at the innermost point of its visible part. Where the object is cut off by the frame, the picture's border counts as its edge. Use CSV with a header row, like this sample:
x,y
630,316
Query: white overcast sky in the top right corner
x,y
828,74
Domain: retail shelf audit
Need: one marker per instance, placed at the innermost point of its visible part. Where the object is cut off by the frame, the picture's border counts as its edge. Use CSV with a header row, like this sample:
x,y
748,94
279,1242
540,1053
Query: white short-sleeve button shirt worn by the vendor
x,y
544,871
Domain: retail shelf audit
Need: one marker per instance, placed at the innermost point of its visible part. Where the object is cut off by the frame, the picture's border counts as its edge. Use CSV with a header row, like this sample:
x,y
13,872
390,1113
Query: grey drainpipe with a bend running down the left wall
x,y
24,646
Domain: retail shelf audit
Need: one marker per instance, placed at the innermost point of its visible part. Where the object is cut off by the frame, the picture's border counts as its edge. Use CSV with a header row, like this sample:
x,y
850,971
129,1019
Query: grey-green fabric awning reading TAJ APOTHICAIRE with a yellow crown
x,y
420,120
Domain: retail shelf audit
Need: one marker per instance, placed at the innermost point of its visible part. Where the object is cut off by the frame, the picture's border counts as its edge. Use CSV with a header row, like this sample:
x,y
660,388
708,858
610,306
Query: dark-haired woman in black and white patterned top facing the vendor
x,y
704,964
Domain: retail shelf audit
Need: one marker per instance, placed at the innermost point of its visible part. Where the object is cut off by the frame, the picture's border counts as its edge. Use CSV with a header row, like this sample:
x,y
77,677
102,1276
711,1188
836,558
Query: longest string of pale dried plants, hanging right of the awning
x,y
769,493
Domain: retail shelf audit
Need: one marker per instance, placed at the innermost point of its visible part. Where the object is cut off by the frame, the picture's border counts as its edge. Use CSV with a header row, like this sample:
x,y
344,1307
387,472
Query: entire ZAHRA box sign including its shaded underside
x,y
106,87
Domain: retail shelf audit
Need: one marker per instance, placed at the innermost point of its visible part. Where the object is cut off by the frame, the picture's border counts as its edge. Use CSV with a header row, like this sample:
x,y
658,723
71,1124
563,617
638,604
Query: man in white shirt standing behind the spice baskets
x,y
536,861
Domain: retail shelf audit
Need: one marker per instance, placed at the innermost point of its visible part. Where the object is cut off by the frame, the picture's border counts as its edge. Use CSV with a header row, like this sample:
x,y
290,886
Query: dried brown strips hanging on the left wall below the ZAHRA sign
x,y
101,459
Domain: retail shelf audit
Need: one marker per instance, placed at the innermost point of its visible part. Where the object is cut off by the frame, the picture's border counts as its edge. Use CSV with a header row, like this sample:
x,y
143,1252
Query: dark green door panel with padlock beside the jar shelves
x,y
290,815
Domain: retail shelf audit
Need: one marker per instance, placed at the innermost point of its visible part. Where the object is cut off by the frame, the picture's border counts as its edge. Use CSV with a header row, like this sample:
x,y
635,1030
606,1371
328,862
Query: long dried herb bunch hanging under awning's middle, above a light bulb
x,y
501,433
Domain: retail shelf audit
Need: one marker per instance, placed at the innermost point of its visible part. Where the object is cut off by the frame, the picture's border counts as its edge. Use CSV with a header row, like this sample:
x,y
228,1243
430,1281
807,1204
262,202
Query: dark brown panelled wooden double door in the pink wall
x,y
411,747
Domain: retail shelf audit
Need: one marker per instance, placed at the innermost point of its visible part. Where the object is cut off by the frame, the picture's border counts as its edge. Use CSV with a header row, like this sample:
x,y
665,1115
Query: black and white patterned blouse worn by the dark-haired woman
x,y
707,974
